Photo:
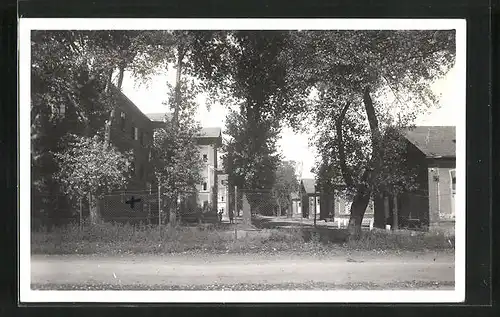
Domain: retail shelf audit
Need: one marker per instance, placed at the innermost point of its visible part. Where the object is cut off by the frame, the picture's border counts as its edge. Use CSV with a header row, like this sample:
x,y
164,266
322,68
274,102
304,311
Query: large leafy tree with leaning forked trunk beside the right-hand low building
x,y
349,69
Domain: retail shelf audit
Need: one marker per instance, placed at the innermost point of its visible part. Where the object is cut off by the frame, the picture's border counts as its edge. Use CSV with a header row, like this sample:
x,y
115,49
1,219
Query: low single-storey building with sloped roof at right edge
x,y
431,152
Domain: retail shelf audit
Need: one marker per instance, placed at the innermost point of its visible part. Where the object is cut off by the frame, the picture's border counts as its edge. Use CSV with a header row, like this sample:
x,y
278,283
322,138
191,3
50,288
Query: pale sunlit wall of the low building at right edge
x,y
441,199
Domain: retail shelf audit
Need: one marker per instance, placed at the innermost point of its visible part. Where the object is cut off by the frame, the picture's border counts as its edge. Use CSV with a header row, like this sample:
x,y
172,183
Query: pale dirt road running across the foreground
x,y
233,269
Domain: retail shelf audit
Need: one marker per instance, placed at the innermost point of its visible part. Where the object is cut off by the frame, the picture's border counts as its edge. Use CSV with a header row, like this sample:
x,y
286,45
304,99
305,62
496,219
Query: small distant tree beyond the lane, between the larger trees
x,y
286,184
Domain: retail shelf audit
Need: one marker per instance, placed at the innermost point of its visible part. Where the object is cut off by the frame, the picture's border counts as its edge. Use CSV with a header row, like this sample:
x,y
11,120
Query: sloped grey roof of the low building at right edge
x,y
433,141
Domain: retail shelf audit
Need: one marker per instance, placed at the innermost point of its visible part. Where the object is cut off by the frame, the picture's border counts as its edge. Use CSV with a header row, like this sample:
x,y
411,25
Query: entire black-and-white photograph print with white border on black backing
x,y
242,160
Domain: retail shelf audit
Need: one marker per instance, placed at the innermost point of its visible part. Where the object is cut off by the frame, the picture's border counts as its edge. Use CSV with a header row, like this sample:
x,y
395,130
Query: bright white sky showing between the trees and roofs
x,y
149,99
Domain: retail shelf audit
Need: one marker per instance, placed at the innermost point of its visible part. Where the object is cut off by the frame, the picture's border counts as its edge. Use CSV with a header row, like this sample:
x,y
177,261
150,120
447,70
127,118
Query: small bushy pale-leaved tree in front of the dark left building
x,y
89,170
